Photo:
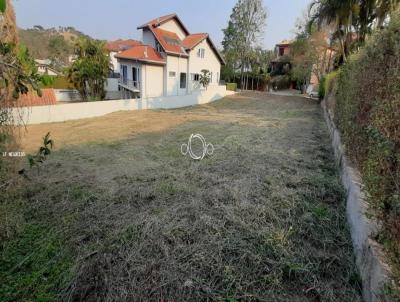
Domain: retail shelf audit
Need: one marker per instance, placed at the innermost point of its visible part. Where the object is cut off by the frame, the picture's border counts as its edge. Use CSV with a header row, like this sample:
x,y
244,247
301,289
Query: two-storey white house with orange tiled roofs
x,y
168,62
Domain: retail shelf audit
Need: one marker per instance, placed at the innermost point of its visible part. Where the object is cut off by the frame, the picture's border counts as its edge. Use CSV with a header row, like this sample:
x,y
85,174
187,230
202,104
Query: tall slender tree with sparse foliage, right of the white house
x,y
244,31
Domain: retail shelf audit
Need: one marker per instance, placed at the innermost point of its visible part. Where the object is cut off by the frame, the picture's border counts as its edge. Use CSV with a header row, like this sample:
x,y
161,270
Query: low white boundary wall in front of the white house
x,y
74,111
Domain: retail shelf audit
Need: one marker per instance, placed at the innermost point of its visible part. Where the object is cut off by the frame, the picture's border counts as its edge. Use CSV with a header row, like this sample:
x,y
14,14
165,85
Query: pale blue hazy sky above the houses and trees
x,y
111,20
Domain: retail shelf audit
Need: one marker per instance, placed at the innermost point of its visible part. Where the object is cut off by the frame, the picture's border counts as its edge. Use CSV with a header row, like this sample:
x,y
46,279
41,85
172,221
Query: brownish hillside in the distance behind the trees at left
x,y
51,43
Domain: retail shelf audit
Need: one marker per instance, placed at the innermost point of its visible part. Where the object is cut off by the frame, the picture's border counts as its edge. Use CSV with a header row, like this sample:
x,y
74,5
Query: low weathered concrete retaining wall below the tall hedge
x,y
373,270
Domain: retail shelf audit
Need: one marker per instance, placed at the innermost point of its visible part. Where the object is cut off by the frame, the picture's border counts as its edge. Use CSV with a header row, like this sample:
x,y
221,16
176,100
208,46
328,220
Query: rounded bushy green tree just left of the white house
x,y
89,71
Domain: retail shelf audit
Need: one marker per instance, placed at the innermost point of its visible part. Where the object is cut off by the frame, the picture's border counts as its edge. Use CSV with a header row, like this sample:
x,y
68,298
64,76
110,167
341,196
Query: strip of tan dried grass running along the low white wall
x,y
124,125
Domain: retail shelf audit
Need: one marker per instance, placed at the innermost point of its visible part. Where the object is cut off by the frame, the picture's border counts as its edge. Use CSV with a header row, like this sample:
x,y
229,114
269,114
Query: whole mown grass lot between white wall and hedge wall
x,y
118,214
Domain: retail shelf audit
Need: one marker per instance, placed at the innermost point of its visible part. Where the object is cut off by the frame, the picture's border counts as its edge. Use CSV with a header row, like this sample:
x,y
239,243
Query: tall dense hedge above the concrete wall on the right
x,y
368,115
